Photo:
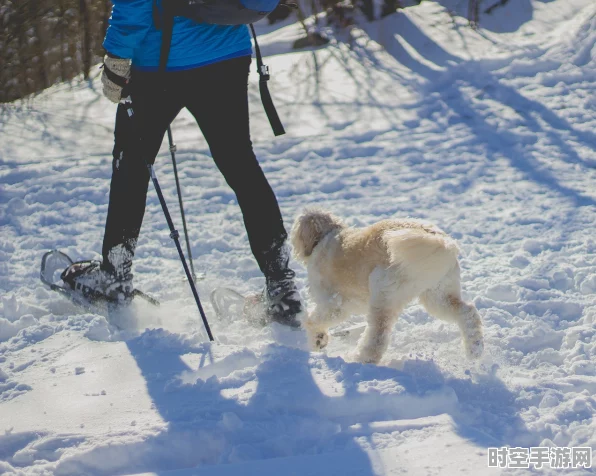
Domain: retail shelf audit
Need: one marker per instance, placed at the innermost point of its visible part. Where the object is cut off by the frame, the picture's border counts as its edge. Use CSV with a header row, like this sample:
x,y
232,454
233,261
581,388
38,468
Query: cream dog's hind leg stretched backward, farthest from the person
x,y
444,302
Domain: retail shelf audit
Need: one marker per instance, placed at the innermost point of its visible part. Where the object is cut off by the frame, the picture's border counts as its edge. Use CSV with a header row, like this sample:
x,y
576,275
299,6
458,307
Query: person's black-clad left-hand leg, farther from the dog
x,y
137,142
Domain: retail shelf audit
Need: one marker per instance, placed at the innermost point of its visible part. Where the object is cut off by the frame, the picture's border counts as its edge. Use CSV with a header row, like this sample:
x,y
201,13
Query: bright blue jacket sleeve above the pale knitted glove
x,y
129,23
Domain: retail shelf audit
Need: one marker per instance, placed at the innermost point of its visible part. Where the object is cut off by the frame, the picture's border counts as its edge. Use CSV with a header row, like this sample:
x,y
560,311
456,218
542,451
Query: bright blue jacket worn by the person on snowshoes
x,y
132,34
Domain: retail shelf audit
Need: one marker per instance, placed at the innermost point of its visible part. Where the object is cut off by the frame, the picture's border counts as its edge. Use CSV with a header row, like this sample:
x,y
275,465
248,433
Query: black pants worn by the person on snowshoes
x,y
217,96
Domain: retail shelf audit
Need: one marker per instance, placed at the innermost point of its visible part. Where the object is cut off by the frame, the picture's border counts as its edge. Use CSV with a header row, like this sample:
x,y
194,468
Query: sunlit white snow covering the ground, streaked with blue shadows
x,y
489,134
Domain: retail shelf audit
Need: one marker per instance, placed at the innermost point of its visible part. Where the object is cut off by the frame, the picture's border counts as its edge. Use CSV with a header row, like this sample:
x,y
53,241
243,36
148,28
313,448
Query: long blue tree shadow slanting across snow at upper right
x,y
453,74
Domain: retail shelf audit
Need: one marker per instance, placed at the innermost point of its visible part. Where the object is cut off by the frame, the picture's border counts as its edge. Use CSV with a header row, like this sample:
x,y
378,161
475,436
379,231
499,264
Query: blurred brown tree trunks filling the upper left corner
x,y
46,41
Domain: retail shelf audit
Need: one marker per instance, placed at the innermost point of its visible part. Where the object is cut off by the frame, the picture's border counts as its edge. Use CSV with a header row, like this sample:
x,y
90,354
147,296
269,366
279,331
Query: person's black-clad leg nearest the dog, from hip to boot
x,y
220,107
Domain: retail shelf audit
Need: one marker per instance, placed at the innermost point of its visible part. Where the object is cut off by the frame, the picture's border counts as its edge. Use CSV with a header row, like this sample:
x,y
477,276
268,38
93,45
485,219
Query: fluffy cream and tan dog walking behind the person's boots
x,y
379,270
